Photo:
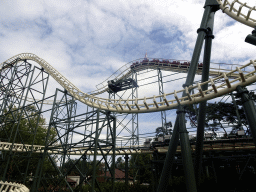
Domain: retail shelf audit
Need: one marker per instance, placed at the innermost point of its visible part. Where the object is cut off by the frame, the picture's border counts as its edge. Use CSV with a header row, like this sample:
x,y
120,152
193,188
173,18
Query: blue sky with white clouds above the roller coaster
x,y
87,41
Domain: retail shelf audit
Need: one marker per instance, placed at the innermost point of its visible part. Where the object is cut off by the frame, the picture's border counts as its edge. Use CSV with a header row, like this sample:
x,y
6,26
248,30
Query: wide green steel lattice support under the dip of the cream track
x,y
71,139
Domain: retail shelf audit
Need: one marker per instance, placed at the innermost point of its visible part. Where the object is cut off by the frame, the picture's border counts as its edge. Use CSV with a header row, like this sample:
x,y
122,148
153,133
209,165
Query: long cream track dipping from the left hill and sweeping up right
x,y
154,103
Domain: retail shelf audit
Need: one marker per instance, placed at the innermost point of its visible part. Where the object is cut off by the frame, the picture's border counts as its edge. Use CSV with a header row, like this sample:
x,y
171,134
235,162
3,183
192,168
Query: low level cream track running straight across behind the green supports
x,y
22,148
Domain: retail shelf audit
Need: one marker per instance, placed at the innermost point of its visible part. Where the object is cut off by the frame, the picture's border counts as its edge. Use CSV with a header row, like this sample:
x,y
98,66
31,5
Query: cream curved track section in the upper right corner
x,y
239,11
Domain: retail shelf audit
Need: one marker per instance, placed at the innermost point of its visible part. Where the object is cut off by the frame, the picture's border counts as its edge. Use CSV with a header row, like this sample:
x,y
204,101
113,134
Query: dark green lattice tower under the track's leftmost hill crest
x,y
19,105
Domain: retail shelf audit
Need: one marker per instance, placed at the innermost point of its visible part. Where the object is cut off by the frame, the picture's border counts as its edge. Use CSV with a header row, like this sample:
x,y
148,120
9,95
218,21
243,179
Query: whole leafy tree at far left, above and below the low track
x,y
23,126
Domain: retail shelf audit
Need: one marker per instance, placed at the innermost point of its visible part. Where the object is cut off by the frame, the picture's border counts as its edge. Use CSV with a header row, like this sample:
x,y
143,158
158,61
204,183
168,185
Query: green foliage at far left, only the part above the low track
x,y
24,126
